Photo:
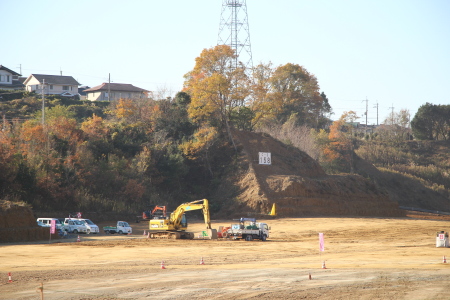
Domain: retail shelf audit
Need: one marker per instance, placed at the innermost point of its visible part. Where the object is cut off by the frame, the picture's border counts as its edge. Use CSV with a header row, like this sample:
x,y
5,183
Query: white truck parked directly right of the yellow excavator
x,y
248,229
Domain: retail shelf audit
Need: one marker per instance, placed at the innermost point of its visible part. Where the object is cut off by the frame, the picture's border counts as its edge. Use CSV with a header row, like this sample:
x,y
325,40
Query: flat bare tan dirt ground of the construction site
x,y
365,258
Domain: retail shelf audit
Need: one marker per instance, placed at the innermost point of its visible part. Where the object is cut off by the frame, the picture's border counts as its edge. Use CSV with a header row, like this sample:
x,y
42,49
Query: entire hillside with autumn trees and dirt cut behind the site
x,y
126,155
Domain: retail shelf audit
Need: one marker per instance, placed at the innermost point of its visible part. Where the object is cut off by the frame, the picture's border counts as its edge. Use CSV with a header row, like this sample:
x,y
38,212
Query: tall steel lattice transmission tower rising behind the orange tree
x,y
234,31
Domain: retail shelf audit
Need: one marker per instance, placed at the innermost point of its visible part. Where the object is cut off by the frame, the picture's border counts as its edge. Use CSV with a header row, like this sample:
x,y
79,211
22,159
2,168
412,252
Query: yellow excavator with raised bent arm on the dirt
x,y
175,225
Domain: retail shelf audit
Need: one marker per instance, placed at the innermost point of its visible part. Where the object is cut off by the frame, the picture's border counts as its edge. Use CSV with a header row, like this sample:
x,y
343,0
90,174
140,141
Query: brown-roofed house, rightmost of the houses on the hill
x,y
115,91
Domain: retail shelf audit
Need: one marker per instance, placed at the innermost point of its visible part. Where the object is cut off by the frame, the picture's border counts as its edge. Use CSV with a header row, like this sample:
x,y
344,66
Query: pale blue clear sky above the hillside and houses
x,y
394,52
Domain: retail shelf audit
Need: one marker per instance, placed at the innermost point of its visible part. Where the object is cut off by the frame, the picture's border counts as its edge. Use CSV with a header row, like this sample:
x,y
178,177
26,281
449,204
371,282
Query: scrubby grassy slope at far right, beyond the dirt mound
x,y
415,173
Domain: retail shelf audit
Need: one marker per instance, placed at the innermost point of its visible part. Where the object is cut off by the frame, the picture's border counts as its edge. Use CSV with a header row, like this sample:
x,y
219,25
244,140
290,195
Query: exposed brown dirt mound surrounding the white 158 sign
x,y
298,185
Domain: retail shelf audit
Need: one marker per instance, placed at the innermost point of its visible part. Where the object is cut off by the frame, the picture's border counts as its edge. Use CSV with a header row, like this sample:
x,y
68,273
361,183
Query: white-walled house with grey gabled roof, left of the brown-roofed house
x,y
52,84
